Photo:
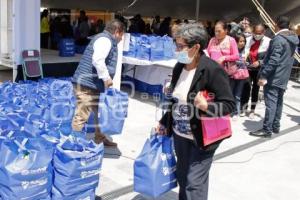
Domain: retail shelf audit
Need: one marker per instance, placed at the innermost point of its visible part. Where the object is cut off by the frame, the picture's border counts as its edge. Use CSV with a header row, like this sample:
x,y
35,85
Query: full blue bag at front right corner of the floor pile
x,y
77,164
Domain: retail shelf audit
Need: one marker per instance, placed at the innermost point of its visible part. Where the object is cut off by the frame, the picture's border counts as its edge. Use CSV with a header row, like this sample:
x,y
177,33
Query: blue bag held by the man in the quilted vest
x,y
113,108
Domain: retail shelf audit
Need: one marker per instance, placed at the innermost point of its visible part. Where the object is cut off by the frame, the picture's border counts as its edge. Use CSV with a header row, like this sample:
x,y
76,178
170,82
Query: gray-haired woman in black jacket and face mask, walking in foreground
x,y
193,74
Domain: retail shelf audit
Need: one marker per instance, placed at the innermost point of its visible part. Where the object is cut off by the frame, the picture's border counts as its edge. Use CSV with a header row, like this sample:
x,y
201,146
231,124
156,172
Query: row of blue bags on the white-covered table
x,y
152,48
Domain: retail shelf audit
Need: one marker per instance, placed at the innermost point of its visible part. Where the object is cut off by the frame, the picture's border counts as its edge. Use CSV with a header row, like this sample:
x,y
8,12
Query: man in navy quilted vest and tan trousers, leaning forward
x,y
95,73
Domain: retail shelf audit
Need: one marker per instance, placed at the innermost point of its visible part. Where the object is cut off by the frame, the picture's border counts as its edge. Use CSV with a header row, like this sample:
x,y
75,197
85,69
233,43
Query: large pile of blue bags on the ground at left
x,y
41,157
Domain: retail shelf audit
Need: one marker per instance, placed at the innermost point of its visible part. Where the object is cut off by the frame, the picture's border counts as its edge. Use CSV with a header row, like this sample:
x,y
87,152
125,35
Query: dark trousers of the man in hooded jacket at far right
x,y
274,104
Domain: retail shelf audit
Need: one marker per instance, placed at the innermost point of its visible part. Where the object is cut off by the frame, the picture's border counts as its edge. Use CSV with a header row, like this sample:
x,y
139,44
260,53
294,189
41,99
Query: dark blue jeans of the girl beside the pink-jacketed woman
x,y
237,87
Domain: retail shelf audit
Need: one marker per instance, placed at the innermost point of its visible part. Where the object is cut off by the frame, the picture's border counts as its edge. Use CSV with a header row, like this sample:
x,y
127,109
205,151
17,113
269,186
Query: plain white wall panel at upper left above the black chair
x,y
26,25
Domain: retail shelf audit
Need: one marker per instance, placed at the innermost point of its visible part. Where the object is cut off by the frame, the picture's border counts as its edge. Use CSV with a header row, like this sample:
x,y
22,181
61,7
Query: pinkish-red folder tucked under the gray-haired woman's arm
x,y
215,129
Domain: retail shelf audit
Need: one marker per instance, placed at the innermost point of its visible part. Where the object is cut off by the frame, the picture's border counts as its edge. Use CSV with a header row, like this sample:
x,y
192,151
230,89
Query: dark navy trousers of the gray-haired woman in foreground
x,y
193,165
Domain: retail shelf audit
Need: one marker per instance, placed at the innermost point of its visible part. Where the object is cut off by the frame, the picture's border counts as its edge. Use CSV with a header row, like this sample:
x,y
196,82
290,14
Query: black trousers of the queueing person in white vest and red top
x,y
250,89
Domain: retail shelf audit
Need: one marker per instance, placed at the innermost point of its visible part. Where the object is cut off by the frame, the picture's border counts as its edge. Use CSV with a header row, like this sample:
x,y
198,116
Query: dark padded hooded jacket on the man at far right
x,y
279,60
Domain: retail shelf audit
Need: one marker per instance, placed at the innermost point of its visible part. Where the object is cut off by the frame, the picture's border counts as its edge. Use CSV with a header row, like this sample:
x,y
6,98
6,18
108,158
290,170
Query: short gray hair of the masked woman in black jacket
x,y
193,33
